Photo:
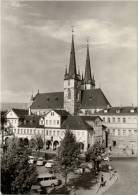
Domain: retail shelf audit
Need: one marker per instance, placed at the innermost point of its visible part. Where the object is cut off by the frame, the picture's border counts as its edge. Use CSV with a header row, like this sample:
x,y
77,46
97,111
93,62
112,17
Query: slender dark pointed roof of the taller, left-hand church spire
x,y
72,64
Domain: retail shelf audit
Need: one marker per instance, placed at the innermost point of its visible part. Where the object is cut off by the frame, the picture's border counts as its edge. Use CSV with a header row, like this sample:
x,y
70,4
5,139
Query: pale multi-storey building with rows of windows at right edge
x,y
121,123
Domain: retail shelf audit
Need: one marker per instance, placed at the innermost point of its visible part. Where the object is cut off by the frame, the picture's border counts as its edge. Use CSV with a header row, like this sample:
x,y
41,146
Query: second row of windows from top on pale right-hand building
x,y
124,132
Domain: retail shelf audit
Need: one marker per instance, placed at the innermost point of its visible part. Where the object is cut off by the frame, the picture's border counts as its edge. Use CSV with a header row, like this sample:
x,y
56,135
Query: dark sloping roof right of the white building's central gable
x,y
78,122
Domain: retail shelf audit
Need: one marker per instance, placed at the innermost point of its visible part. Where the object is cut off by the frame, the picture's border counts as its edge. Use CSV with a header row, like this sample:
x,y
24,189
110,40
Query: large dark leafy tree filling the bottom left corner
x,y
17,176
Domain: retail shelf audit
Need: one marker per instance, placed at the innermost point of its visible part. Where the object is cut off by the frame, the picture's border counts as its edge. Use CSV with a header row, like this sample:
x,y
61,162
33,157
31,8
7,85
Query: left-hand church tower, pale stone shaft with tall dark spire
x,y
72,84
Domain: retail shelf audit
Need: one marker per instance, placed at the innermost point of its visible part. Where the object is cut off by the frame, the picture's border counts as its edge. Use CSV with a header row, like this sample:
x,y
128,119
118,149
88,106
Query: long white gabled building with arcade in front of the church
x,y
52,127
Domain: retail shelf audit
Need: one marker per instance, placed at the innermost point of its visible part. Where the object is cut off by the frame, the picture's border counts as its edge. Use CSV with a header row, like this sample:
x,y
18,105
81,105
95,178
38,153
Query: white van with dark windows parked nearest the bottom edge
x,y
46,179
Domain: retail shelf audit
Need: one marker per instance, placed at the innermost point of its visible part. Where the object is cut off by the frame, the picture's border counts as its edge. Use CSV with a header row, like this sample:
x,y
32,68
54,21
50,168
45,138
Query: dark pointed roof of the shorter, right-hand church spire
x,y
88,76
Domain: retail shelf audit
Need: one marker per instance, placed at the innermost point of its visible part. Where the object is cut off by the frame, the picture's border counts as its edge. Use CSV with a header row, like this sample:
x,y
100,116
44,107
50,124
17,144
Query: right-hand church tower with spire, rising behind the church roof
x,y
88,81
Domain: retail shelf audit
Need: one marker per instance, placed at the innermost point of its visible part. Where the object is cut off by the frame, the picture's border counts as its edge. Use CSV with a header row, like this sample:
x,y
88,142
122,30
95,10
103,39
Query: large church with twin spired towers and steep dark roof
x,y
80,95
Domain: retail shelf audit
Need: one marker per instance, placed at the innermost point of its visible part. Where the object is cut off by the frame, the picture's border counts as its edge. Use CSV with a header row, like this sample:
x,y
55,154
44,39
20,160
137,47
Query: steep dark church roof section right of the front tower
x,y
94,98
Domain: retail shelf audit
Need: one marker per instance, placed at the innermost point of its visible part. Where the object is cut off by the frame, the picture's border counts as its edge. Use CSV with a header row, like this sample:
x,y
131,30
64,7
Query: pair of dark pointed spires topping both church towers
x,y
72,73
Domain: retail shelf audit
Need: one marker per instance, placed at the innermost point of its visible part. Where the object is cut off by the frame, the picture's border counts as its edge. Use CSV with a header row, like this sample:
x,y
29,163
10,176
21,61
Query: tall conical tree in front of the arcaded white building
x,y
68,155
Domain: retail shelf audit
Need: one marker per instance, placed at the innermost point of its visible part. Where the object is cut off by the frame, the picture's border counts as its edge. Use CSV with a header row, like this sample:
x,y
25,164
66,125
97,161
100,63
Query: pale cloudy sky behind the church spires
x,y
36,41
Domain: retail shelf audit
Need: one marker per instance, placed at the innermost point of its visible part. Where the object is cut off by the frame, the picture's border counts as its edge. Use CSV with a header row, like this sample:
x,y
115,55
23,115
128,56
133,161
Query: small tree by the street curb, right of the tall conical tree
x,y
94,154
